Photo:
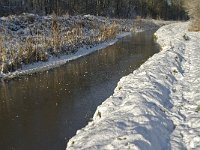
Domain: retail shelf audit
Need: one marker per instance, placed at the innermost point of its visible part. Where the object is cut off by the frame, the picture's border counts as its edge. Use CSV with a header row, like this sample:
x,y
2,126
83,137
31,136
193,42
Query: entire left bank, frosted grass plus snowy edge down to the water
x,y
30,43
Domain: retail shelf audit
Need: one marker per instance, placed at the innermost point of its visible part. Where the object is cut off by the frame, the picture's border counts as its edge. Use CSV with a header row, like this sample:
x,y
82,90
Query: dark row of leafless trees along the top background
x,y
166,9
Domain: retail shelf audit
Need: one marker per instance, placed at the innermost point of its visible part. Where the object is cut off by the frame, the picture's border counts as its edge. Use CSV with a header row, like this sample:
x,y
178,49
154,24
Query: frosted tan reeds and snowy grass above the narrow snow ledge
x,y
30,38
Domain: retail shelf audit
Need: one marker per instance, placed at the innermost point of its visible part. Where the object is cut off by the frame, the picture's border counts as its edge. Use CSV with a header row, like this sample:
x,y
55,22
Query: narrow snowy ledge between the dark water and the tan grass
x,y
63,59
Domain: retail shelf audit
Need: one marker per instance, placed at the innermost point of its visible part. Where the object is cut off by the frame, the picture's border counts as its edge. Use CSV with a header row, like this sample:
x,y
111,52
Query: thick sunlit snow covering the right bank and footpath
x,y
155,107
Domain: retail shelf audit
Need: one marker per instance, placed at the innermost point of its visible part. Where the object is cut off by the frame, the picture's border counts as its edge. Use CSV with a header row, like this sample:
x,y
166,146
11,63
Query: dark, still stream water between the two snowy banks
x,y
41,112
